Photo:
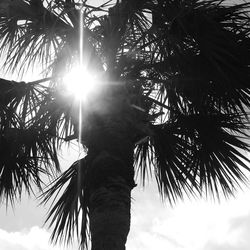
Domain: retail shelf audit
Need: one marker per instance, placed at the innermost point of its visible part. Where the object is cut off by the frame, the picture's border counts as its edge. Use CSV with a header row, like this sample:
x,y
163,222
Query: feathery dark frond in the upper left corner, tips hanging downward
x,y
31,34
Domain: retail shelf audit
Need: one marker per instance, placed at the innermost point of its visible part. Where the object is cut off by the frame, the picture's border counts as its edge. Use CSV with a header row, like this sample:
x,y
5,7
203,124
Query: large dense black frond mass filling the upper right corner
x,y
198,52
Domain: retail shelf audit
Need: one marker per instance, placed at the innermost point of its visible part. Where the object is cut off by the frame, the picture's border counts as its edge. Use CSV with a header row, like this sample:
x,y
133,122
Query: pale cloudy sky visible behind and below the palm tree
x,y
189,225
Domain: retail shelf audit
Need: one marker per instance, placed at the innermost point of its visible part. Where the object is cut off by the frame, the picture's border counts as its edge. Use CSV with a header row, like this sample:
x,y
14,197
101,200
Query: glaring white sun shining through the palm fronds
x,y
80,83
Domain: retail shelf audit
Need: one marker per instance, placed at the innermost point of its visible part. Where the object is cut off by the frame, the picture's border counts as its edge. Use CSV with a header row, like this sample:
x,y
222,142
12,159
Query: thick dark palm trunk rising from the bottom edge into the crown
x,y
111,174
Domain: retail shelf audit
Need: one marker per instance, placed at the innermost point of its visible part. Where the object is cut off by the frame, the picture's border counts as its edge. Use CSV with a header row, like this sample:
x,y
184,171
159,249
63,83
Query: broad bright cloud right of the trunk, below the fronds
x,y
190,225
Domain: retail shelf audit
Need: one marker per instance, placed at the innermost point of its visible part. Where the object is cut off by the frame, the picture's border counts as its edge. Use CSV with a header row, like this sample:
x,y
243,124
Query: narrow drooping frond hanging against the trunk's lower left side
x,y
69,213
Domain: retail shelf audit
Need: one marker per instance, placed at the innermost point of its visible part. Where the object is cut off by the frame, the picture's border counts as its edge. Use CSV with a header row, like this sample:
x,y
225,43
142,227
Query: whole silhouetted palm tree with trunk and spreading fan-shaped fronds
x,y
173,103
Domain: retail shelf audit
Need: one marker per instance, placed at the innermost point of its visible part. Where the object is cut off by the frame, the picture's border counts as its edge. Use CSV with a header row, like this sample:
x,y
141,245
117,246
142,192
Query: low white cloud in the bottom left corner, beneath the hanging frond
x,y
35,238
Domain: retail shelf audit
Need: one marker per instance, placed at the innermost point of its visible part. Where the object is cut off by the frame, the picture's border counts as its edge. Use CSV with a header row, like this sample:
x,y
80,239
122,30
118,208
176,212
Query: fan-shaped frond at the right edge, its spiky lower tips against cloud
x,y
218,157
